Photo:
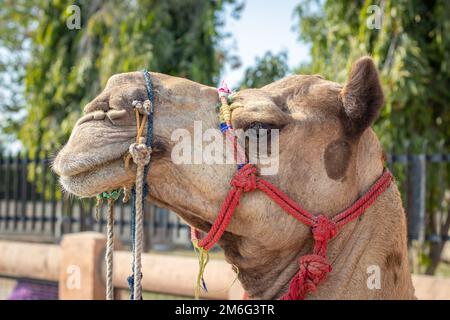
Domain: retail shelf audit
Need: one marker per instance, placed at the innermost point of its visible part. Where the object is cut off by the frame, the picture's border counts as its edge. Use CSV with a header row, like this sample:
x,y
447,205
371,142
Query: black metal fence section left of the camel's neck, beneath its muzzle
x,y
33,208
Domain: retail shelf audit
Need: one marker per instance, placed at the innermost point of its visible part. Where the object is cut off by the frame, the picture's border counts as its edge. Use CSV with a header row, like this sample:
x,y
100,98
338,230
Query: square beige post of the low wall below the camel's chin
x,y
82,259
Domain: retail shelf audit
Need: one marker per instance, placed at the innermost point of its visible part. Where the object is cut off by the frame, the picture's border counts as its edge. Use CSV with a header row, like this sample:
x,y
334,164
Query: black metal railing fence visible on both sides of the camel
x,y
32,206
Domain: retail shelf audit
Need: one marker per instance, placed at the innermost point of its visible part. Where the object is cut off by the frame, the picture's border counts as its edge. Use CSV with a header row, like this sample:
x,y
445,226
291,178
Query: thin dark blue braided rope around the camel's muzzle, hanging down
x,y
149,143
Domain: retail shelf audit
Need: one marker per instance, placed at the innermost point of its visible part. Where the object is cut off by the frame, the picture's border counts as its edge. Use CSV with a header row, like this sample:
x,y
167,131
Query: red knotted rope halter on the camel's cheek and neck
x,y
313,268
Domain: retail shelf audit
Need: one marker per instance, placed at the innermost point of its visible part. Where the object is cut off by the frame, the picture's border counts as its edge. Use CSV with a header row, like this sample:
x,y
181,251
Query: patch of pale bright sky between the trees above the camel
x,y
264,25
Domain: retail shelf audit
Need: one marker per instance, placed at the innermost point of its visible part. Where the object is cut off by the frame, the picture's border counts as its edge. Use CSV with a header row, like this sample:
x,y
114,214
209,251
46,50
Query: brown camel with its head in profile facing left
x,y
328,157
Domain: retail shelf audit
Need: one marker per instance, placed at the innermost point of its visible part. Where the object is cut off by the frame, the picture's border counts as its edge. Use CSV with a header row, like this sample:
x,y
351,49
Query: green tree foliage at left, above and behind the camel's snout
x,y
68,67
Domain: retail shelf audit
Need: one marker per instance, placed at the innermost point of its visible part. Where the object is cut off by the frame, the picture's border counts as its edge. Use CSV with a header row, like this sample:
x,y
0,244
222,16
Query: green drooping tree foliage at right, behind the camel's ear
x,y
412,50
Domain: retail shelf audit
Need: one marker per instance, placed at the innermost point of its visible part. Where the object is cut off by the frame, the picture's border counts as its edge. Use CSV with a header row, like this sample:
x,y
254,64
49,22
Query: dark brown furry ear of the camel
x,y
362,97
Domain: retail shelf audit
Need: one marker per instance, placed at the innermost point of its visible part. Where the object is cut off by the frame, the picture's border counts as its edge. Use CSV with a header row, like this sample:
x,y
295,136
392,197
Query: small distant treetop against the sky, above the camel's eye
x,y
267,69
